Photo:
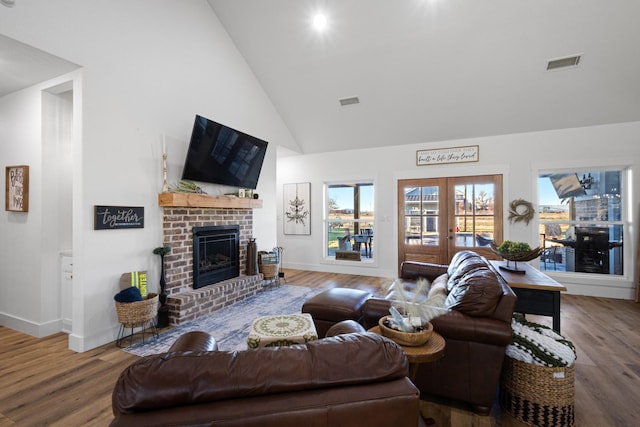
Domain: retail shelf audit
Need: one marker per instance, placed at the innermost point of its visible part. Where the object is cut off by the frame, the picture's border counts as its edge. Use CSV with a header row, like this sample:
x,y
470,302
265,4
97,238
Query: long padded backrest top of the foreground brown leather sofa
x,y
174,379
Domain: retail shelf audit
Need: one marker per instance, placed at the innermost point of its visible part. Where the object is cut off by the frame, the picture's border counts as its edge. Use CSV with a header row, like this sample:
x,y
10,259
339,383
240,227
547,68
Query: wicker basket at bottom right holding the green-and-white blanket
x,y
538,395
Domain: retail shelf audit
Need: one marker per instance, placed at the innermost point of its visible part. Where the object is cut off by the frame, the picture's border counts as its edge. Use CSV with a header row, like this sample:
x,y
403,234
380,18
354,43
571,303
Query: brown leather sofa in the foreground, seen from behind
x,y
355,378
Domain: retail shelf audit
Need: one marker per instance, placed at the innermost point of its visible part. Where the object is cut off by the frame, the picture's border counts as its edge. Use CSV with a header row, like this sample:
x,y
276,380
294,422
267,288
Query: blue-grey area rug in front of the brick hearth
x,y
230,325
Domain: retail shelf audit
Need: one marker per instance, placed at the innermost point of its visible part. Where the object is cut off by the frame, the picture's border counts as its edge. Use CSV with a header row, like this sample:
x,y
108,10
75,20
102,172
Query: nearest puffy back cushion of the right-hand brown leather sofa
x,y
476,293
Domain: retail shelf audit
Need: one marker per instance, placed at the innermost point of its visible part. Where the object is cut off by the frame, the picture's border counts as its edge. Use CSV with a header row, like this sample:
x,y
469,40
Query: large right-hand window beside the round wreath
x,y
582,221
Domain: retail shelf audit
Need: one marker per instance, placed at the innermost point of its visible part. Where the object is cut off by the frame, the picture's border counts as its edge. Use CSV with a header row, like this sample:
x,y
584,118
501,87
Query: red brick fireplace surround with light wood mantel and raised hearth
x,y
180,214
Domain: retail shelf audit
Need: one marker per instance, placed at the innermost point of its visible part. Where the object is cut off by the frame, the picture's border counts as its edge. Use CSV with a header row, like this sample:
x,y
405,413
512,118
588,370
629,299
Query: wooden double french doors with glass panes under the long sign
x,y
438,217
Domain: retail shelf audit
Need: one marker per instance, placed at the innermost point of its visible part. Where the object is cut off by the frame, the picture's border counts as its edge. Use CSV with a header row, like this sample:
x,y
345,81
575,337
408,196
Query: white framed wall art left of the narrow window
x,y
297,208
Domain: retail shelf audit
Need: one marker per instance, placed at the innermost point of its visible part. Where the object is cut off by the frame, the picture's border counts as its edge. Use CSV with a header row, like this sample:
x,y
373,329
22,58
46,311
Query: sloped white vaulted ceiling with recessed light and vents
x,y
434,70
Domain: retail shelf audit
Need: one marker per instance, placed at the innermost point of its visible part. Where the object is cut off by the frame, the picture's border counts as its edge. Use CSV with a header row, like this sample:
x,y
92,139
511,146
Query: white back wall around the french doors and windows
x,y
518,157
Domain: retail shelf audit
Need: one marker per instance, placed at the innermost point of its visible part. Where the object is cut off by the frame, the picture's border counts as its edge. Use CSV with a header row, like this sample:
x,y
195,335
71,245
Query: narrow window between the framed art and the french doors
x,y
349,219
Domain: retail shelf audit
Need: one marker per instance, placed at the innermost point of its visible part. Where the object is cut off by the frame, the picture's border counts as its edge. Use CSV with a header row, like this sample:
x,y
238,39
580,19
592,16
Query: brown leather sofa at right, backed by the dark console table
x,y
476,327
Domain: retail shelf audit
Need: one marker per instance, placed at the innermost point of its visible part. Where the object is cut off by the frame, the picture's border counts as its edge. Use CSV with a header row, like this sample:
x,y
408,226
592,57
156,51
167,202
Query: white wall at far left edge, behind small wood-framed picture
x,y
20,257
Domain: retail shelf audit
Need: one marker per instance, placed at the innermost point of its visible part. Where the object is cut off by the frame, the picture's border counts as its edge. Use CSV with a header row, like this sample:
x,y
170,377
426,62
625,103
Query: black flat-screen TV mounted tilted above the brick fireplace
x,y
219,154
